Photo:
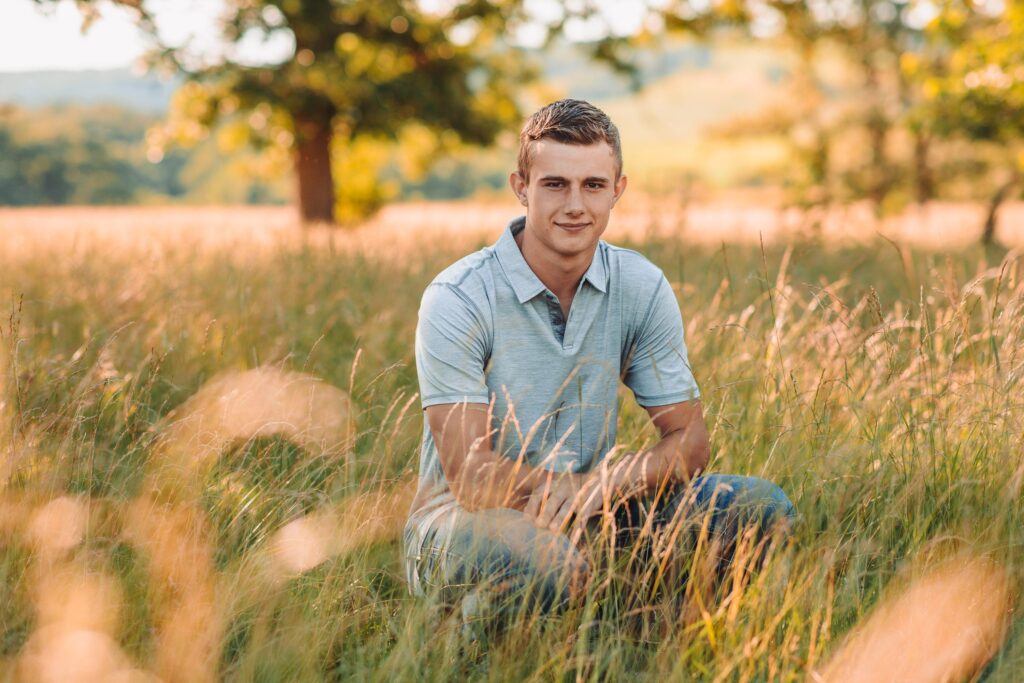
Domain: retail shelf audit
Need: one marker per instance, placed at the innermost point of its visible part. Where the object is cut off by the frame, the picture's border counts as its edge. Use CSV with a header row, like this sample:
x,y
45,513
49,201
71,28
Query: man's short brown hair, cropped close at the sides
x,y
571,122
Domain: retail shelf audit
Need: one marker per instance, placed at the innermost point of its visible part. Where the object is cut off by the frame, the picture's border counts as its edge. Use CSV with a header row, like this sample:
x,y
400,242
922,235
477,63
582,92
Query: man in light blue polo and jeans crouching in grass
x,y
520,351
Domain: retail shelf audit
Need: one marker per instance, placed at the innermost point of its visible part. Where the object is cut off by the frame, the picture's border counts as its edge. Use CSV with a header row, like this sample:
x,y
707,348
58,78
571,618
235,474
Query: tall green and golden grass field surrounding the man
x,y
880,387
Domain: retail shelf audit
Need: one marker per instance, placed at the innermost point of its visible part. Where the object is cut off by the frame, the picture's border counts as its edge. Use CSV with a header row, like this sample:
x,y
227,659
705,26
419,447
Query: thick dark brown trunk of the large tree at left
x,y
313,168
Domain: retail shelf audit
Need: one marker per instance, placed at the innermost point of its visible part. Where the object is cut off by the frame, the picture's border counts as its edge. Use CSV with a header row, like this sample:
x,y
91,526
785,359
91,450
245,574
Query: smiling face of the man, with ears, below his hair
x,y
570,196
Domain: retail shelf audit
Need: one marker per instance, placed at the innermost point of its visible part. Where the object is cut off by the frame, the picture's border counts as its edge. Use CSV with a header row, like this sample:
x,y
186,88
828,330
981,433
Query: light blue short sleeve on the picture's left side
x,y
451,349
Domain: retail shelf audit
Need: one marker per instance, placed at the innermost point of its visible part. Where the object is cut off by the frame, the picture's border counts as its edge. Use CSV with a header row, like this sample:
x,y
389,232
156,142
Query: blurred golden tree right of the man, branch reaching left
x,y
879,40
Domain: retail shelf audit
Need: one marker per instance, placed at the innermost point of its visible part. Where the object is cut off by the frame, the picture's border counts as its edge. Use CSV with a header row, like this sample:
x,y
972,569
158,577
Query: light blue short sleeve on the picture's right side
x,y
658,369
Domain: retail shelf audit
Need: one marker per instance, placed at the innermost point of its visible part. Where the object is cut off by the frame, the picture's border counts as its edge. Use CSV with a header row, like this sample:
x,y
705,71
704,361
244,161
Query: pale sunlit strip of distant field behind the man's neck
x,y
741,219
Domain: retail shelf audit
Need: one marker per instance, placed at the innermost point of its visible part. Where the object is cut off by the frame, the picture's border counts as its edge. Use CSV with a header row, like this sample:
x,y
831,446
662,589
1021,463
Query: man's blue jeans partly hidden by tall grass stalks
x,y
504,551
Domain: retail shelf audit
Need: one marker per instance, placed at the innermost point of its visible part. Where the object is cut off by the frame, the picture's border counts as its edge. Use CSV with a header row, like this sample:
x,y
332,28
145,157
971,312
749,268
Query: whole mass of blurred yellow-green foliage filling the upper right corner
x,y
892,101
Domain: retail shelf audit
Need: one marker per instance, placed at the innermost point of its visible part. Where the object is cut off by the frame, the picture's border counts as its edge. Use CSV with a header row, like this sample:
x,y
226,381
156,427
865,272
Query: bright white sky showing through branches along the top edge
x,y
35,39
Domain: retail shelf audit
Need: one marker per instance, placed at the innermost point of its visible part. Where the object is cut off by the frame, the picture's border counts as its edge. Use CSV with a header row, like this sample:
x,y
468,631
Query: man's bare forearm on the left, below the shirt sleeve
x,y
480,478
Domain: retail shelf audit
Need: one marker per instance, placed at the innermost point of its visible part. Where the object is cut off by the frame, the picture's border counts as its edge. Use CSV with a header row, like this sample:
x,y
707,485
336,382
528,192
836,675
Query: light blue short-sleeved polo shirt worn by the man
x,y
490,332
